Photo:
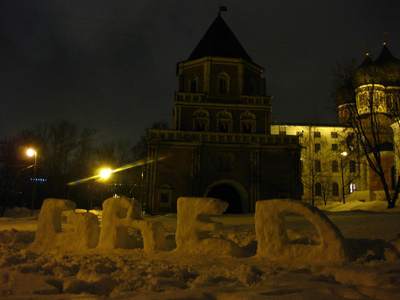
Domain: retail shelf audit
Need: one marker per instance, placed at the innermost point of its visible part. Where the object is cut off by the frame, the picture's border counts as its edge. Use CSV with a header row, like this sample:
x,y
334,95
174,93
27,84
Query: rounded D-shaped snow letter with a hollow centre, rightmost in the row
x,y
274,244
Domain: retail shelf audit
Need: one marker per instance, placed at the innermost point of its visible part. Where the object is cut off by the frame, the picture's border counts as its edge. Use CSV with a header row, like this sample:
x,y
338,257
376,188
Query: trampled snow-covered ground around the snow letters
x,y
374,272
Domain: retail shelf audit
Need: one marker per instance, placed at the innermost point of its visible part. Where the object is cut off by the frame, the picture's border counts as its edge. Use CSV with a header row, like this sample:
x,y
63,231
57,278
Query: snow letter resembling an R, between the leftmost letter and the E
x,y
120,214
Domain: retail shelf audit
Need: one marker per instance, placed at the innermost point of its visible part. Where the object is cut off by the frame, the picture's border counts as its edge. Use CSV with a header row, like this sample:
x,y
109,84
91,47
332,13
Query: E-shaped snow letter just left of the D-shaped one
x,y
194,226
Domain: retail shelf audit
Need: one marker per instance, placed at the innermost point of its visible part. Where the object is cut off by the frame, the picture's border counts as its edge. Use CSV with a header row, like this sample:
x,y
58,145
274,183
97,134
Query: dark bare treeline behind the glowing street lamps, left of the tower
x,y
65,153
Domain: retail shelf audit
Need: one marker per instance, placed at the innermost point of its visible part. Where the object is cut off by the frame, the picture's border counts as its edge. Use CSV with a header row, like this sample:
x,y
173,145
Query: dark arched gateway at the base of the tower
x,y
232,192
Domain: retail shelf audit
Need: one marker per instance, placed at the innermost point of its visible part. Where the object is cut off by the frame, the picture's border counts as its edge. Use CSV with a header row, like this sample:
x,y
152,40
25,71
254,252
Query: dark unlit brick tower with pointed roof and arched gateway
x,y
220,144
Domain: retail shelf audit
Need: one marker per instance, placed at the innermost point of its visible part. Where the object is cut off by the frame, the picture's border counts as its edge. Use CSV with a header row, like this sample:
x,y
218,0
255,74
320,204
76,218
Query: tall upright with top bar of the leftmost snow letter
x,y
49,224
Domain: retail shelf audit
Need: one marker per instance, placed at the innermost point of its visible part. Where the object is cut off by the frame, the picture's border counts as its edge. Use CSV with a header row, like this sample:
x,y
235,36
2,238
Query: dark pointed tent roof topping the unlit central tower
x,y
220,41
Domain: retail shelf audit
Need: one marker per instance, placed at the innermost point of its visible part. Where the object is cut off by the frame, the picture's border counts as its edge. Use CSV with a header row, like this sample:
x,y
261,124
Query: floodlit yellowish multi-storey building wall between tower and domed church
x,y
332,142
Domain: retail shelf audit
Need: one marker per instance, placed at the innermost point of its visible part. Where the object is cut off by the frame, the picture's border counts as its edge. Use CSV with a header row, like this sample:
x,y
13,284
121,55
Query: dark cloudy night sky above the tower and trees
x,y
110,65
